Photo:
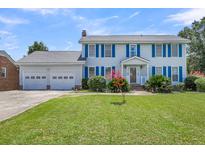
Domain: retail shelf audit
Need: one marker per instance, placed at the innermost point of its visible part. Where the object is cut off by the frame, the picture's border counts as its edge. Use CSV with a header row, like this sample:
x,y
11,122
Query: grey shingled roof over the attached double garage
x,y
50,57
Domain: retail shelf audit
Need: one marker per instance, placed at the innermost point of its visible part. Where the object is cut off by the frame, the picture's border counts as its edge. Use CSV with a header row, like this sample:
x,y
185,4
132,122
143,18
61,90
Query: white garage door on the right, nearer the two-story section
x,y
62,80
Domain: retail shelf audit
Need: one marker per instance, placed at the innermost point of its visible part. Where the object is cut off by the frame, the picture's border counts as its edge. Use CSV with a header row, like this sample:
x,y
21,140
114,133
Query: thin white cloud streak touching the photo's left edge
x,y
13,21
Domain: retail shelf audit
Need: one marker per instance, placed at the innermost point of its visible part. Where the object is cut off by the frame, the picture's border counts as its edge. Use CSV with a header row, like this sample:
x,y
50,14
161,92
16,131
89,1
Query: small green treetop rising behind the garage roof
x,y
37,46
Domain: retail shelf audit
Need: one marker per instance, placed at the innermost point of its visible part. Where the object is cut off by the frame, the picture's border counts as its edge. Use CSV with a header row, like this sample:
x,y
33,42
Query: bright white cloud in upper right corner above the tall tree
x,y
186,17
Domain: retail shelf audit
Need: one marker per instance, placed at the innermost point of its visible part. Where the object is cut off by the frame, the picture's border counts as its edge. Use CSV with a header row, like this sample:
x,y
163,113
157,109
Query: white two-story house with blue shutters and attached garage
x,y
137,57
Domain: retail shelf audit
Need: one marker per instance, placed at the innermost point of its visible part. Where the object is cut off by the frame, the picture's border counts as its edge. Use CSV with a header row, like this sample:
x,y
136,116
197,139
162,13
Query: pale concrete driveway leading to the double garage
x,y
15,102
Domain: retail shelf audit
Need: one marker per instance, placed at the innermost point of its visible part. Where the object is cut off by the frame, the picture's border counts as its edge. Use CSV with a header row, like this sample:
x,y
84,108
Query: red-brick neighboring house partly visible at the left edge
x,y
9,76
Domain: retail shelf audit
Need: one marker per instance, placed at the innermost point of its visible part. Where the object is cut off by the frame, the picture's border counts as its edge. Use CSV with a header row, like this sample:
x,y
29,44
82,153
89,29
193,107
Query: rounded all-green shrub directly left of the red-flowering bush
x,y
97,83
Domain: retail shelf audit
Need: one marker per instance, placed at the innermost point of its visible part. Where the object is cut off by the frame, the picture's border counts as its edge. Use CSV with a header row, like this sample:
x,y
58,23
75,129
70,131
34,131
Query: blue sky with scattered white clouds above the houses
x,y
60,29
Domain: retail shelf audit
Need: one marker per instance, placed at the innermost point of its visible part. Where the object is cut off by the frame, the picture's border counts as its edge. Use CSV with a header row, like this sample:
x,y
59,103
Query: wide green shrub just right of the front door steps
x,y
158,83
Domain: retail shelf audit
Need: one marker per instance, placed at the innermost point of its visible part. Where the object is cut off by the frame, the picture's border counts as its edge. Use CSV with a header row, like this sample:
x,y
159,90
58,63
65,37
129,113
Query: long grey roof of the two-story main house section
x,y
133,39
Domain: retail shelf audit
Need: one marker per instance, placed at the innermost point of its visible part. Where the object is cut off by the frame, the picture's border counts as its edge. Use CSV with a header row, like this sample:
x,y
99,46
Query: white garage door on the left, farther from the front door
x,y
35,80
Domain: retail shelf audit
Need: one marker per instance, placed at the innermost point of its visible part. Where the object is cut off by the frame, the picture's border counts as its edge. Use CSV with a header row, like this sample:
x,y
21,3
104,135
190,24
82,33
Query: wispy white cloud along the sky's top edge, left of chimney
x,y
42,11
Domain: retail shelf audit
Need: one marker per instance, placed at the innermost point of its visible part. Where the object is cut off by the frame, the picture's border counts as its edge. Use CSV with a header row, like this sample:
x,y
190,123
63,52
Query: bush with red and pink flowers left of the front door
x,y
118,84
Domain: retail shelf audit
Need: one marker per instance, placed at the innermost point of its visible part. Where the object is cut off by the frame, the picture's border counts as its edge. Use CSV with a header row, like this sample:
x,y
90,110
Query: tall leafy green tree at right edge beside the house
x,y
196,50
